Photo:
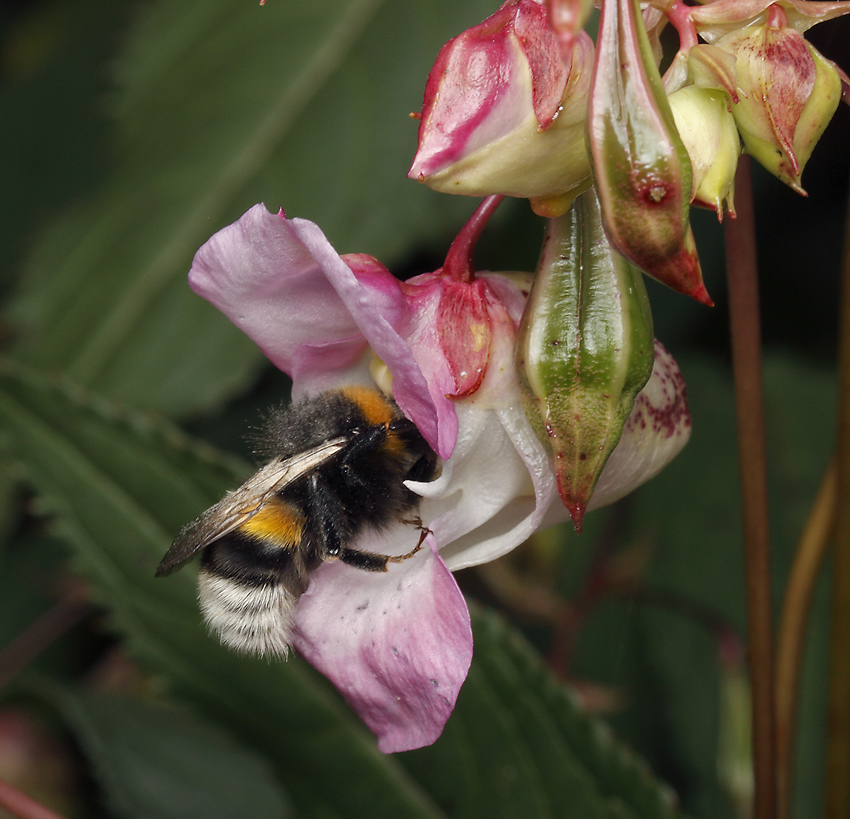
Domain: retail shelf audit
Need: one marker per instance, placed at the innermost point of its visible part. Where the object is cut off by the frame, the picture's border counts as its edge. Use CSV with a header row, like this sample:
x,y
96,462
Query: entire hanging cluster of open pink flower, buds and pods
x,y
543,395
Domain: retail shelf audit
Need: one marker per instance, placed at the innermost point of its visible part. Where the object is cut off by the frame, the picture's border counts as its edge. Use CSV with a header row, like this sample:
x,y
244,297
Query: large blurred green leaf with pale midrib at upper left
x,y
222,105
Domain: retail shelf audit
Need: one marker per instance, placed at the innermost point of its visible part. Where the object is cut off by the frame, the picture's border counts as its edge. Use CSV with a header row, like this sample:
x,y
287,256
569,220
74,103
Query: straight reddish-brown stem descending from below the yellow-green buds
x,y
742,274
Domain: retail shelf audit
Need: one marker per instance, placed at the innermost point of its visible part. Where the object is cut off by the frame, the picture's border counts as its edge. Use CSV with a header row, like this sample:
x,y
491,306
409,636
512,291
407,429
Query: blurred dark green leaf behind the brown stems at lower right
x,y
657,650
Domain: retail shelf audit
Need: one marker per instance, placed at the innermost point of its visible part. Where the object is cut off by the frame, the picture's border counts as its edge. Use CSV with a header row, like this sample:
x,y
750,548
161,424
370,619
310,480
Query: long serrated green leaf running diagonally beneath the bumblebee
x,y
517,745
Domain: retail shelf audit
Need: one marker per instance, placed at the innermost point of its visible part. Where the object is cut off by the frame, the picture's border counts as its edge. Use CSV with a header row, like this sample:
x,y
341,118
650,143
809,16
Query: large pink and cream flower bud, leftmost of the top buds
x,y
504,111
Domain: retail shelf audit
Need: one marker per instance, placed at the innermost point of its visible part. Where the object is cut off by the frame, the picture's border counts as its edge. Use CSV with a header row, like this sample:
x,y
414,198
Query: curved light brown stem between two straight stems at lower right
x,y
799,592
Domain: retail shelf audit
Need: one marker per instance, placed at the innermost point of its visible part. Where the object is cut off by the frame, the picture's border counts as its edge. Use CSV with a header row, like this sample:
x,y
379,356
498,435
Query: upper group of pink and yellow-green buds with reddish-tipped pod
x,y
509,102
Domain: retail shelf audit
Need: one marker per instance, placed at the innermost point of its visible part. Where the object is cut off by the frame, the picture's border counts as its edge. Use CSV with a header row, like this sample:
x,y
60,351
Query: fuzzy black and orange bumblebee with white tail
x,y
337,468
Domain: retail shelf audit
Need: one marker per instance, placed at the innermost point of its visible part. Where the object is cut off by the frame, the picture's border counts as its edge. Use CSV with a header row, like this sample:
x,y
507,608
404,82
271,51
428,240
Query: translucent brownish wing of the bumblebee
x,y
241,504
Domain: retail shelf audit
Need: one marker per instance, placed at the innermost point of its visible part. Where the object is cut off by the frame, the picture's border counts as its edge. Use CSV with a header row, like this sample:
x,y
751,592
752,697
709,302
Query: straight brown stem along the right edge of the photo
x,y
837,795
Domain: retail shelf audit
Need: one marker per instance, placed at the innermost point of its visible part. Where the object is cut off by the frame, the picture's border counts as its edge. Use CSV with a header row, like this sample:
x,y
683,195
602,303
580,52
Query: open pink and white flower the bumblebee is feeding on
x,y
398,645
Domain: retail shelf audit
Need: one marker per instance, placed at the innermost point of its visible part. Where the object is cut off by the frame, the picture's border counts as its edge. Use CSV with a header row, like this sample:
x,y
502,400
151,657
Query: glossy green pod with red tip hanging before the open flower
x,y
585,349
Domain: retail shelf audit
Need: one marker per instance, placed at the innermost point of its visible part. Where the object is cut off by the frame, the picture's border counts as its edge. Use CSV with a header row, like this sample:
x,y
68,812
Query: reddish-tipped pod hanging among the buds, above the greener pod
x,y
640,164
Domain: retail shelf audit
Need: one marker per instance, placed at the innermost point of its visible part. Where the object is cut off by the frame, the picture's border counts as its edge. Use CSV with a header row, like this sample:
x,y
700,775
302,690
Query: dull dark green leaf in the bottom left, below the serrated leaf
x,y
155,761
